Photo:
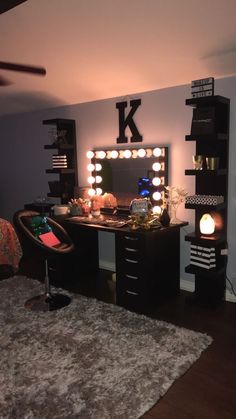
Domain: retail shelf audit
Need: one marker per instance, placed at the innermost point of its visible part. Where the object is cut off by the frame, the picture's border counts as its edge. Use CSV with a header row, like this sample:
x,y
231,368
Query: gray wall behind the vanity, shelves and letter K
x,y
162,119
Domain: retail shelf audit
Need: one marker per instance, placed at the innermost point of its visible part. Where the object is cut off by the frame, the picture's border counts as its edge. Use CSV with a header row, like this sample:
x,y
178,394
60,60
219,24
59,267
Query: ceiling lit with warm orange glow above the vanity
x,y
97,49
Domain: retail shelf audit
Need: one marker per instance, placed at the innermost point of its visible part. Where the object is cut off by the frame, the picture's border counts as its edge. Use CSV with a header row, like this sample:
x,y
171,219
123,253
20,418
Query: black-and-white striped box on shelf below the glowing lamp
x,y
204,257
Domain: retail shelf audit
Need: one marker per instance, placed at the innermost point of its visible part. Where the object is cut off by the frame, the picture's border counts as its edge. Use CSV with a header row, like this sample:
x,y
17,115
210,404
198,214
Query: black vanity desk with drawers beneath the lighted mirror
x,y
147,261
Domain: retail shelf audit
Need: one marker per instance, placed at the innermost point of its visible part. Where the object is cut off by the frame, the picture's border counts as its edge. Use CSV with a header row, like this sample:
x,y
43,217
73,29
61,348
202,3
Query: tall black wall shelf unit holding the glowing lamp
x,y
211,141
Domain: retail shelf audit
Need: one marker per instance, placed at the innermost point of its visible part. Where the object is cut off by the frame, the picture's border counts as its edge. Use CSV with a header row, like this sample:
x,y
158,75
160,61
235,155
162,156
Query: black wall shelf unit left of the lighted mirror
x,y
63,145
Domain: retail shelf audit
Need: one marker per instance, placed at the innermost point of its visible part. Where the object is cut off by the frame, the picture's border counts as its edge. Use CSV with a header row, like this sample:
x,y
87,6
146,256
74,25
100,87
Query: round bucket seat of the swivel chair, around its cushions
x,y
31,243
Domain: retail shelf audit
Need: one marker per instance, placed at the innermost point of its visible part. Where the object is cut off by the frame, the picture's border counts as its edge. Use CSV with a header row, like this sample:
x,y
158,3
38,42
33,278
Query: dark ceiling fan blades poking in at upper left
x,y
6,5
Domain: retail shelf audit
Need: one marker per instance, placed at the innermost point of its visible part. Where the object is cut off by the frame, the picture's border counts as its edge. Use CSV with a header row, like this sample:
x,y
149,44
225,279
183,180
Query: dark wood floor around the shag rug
x,y
208,388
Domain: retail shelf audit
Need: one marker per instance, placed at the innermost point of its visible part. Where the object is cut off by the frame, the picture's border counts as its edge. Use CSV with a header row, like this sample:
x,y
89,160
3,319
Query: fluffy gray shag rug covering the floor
x,y
89,360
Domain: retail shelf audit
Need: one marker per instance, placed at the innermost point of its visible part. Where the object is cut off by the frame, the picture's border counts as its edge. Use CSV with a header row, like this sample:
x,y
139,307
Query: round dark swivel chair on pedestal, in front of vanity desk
x,y
32,245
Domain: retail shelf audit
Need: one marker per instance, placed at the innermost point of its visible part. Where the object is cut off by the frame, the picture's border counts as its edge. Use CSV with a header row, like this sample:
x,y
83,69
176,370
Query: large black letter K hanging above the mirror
x,y
127,121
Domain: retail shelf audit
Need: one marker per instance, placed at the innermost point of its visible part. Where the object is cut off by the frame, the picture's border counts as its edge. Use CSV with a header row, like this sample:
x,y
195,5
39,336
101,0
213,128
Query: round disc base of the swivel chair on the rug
x,y
44,302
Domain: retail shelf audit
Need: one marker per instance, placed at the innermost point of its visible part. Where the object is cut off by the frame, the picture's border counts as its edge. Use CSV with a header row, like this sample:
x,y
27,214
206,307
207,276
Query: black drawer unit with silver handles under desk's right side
x,y
147,267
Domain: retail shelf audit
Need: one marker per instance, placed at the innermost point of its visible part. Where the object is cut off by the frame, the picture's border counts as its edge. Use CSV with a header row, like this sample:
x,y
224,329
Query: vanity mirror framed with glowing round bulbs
x,y
134,171
